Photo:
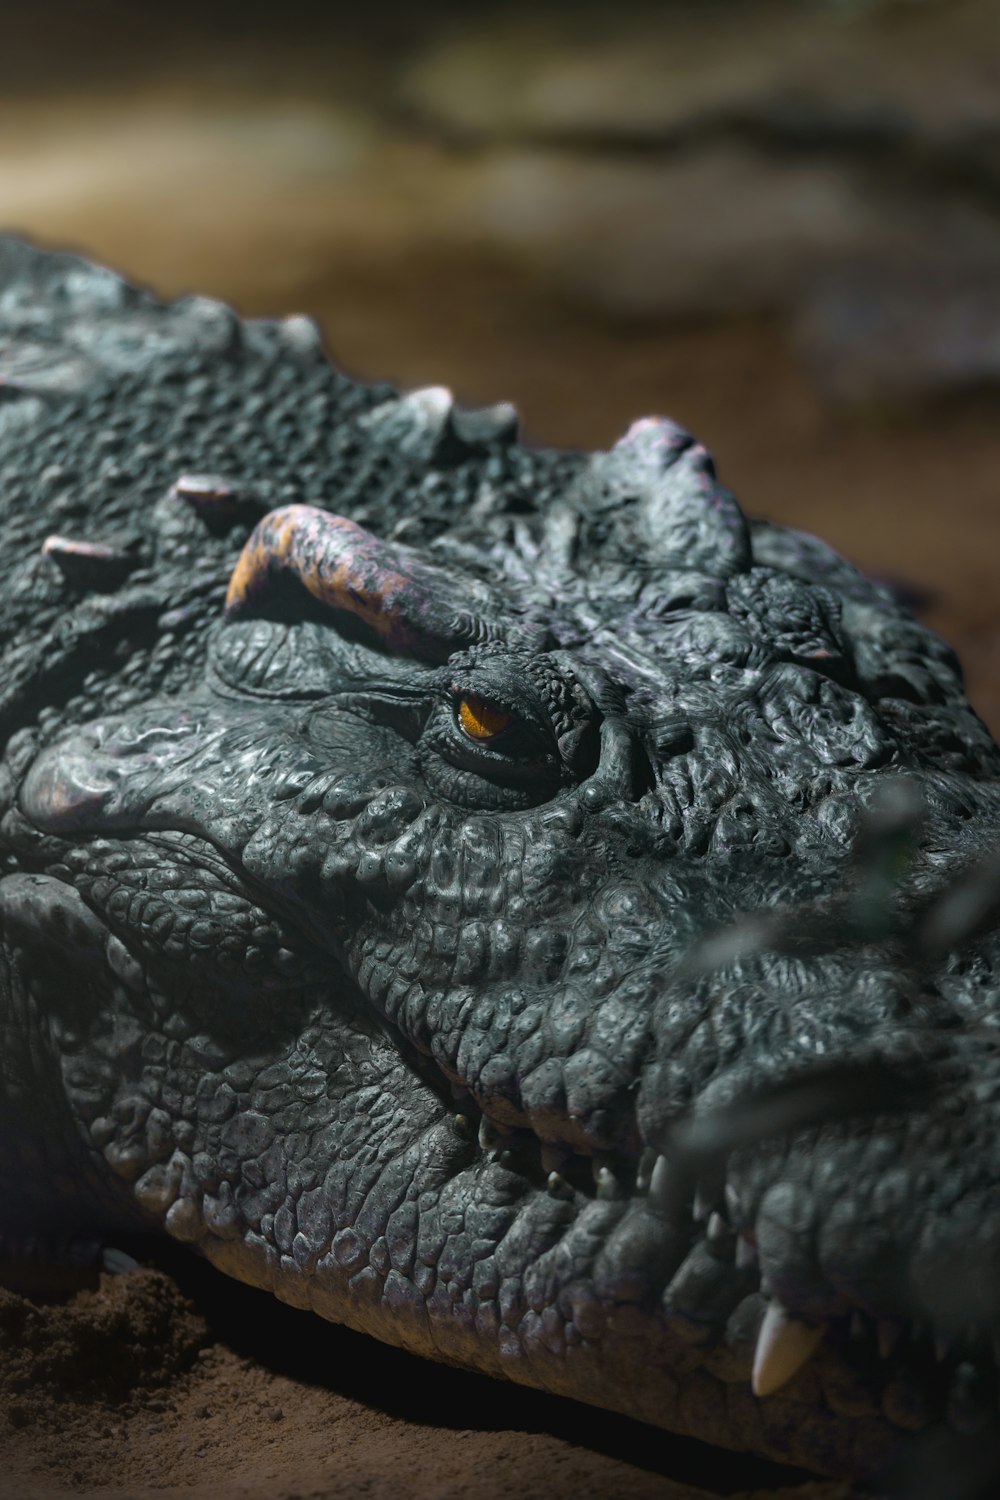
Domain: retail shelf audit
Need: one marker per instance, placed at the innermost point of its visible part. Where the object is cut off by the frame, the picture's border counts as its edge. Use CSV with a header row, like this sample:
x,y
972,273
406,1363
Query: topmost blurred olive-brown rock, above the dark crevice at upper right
x,y
917,74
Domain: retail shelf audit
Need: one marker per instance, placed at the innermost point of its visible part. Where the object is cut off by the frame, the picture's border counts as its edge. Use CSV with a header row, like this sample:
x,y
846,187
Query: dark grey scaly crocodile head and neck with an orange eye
x,y
557,1051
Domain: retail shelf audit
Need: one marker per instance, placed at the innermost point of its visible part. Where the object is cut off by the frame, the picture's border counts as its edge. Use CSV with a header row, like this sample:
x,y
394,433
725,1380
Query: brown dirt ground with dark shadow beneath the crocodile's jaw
x,y
145,1387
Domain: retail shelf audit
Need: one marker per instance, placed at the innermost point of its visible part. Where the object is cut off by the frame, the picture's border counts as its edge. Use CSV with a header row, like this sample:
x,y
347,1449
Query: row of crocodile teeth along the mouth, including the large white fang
x,y
785,1343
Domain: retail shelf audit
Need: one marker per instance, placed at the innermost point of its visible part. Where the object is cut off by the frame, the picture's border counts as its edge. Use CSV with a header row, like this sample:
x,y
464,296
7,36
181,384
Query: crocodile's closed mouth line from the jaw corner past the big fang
x,y
947,1372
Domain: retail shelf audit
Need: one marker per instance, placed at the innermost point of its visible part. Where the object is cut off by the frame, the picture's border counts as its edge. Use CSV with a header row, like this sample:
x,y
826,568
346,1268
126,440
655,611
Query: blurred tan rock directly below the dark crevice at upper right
x,y
725,230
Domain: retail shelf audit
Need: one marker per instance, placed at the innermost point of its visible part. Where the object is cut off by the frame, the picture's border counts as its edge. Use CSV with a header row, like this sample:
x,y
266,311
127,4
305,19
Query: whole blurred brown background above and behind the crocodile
x,y
776,221
